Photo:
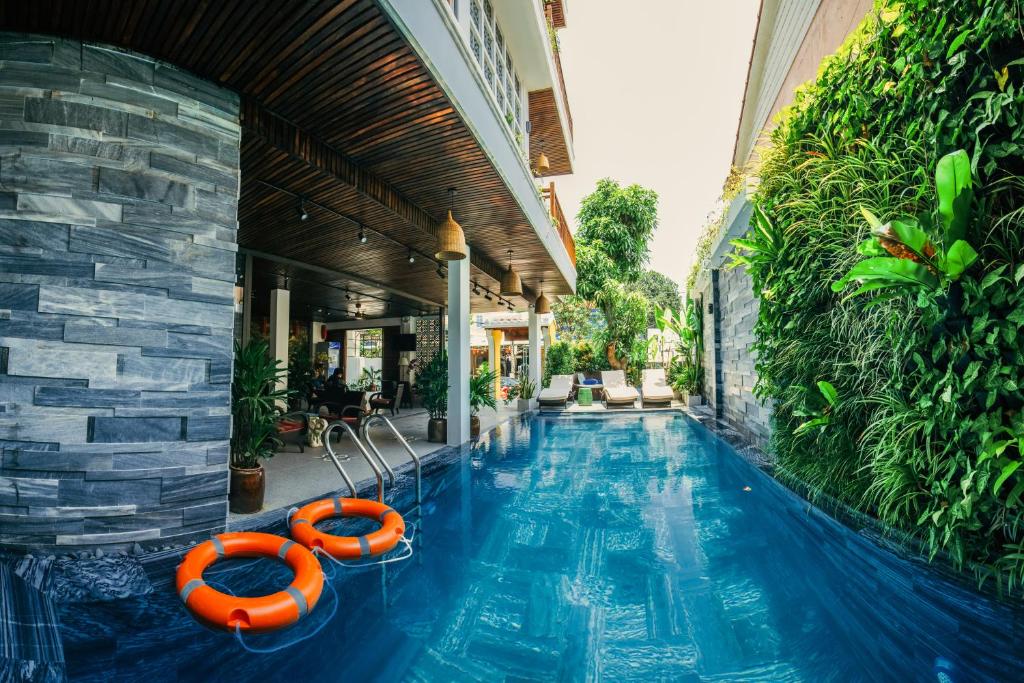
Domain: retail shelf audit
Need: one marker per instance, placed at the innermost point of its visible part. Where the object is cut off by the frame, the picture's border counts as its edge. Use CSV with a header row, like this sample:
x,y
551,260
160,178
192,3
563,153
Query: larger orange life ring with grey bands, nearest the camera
x,y
264,614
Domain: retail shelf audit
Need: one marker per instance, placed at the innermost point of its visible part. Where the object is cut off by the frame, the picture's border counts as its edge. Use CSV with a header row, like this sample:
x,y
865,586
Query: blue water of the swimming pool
x,y
585,550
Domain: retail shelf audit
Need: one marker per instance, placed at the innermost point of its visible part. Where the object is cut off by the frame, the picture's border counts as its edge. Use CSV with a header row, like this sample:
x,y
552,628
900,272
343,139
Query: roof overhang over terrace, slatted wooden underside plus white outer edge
x,y
340,106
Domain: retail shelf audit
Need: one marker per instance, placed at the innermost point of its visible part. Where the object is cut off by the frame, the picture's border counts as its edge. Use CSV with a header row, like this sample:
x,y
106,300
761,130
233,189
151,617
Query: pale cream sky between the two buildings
x,y
656,89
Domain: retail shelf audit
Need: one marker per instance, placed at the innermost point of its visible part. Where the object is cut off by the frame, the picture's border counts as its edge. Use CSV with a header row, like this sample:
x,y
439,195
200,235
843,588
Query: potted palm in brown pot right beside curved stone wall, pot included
x,y
255,402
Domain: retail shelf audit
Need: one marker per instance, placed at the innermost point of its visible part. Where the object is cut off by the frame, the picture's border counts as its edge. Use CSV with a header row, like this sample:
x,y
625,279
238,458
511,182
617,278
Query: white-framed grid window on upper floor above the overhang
x,y
490,49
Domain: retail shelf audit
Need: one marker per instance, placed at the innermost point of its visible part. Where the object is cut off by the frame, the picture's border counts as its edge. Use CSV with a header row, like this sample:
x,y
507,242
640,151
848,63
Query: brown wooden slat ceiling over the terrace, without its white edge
x,y
342,72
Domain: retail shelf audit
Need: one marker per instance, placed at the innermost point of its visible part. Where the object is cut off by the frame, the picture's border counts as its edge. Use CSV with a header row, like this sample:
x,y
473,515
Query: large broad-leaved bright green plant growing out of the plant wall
x,y
902,254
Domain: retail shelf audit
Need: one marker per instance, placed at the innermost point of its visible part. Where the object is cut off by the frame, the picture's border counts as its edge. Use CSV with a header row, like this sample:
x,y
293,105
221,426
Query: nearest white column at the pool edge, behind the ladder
x,y
458,348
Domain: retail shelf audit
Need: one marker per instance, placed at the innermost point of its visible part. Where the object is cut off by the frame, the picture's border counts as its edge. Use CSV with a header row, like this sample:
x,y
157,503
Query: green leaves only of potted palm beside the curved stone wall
x,y
255,399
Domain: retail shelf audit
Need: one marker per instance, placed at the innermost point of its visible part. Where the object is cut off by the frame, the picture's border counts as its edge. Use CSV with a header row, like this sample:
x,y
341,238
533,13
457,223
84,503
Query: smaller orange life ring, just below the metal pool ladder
x,y
348,547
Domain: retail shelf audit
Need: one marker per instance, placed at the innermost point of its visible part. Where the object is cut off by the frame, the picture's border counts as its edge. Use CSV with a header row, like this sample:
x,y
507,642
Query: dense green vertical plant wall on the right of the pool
x,y
924,424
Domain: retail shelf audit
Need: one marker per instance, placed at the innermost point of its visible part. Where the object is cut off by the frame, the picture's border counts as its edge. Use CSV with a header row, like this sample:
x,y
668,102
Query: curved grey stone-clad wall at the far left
x,y
119,182
